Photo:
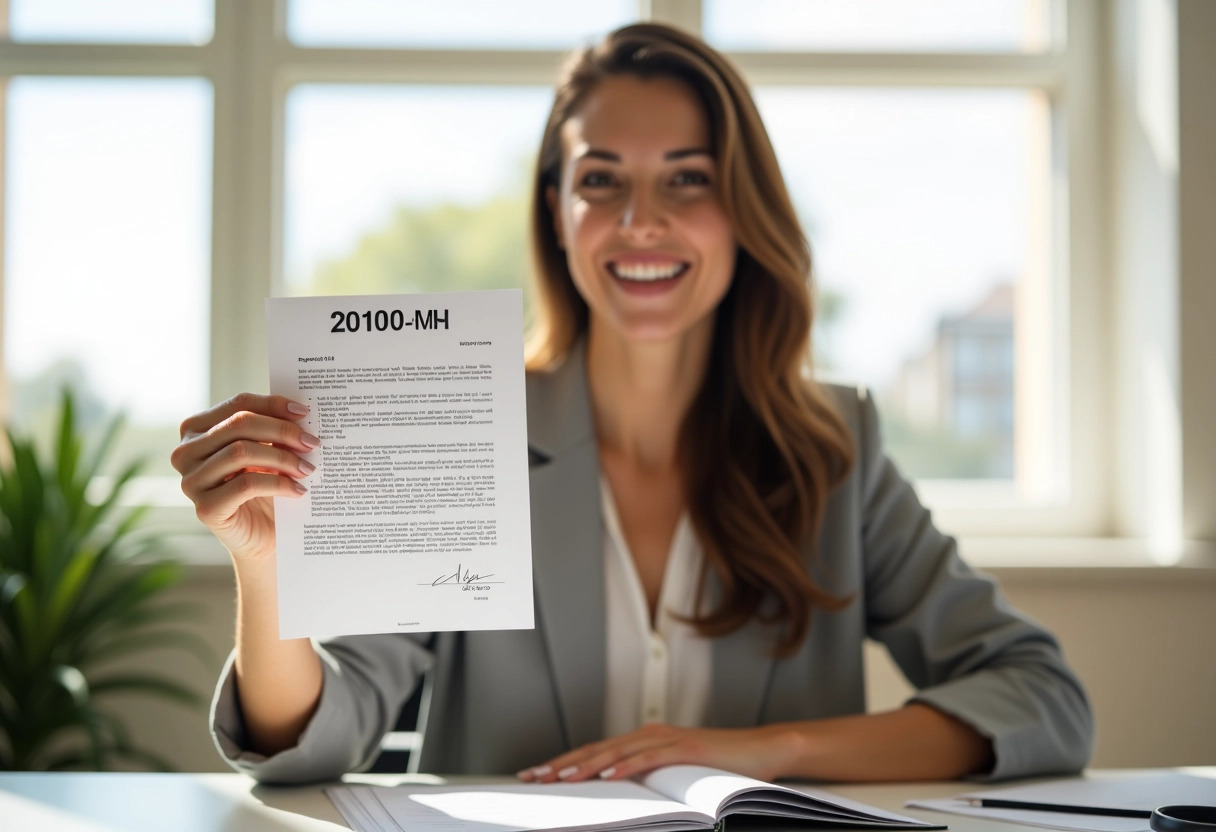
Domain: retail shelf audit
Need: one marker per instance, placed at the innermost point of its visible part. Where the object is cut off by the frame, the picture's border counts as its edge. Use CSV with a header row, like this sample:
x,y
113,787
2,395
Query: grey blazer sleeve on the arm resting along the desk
x,y
953,634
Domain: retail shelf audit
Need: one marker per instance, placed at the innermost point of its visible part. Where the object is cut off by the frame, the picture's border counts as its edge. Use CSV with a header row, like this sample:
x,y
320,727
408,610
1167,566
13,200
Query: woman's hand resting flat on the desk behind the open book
x,y
762,754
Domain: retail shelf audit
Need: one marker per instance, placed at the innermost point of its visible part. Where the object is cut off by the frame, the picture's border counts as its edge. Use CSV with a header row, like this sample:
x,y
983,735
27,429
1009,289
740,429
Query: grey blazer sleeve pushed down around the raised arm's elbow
x,y
365,683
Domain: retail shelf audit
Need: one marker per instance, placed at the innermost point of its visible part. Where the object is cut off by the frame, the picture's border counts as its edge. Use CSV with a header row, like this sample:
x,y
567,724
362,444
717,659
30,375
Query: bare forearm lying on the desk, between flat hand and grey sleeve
x,y
916,743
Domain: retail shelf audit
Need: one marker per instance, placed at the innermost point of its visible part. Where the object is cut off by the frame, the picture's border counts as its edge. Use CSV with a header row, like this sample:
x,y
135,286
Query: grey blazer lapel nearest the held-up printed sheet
x,y
568,544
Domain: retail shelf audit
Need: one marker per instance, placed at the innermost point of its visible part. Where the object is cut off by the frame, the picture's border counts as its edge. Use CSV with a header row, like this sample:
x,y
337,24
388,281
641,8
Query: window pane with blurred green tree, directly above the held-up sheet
x,y
395,188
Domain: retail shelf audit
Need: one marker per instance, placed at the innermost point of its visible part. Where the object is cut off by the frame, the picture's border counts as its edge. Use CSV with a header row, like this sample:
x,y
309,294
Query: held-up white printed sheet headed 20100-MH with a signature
x,y
416,519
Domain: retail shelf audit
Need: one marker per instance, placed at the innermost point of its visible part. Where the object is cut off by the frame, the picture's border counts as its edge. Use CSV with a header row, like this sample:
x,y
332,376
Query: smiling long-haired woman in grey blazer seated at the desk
x,y
714,533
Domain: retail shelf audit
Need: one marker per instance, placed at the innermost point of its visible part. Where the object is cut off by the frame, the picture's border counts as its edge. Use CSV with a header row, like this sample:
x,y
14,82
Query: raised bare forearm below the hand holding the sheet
x,y
279,682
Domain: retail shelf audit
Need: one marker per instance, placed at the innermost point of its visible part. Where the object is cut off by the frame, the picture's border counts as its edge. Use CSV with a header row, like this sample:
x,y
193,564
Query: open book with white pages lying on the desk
x,y
672,800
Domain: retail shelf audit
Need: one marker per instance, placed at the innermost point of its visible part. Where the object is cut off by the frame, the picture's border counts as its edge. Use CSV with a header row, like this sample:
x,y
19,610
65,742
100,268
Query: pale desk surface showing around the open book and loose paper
x,y
111,802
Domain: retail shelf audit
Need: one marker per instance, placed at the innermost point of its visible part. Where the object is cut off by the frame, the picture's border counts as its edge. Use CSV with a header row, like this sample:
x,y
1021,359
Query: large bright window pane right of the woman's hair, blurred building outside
x,y
924,209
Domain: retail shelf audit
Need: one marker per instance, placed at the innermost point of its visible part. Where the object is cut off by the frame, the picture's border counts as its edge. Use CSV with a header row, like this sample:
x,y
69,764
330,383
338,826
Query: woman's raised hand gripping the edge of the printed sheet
x,y
235,458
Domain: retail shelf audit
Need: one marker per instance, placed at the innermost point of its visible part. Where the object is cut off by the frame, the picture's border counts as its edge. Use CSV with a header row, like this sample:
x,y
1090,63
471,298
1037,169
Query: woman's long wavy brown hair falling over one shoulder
x,y
762,447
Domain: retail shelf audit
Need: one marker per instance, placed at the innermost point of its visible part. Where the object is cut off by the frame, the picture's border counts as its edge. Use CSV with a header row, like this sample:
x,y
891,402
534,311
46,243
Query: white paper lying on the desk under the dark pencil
x,y
1083,803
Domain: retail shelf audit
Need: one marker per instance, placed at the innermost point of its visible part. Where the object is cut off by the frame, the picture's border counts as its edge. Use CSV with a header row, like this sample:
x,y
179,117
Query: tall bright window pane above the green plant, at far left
x,y
106,271
